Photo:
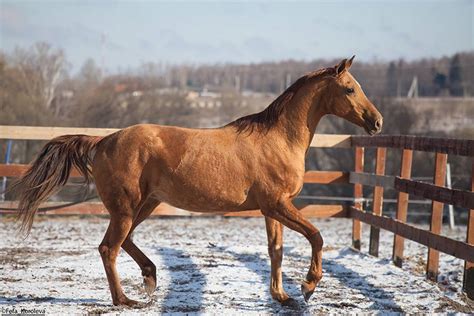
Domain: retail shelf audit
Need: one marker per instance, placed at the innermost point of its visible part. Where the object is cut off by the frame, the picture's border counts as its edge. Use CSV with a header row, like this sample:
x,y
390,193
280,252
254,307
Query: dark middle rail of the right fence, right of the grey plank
x,y
440,194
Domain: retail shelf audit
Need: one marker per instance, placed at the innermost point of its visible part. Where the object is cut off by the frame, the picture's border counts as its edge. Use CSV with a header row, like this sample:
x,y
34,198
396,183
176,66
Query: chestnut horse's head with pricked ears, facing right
x,y
347,100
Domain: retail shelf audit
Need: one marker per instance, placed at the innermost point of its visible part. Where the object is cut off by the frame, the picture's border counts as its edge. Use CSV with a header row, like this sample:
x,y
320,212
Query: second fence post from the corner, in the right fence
x,y
377,202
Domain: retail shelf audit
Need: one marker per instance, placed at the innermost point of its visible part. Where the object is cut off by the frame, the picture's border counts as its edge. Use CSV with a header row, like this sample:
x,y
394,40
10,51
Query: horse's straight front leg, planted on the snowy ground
x,y
275,250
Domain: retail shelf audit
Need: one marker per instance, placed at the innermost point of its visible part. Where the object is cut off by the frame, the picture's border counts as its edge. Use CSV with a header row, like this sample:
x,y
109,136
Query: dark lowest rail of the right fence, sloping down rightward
x,y
444,244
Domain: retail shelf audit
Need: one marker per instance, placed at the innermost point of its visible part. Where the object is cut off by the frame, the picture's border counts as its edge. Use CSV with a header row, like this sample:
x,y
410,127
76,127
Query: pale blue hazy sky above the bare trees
x,y
125,34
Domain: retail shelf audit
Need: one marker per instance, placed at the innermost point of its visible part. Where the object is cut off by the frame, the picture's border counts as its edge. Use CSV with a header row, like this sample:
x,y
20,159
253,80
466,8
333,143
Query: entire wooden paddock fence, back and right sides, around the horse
x,y
436,192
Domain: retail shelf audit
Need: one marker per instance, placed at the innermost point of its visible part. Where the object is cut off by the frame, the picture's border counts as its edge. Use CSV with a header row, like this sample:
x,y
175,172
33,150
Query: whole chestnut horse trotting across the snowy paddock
x,y
255,162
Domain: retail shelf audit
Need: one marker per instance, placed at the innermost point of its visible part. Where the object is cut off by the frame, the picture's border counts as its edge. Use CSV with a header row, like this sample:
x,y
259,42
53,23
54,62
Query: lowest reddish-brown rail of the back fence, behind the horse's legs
x,y
97,208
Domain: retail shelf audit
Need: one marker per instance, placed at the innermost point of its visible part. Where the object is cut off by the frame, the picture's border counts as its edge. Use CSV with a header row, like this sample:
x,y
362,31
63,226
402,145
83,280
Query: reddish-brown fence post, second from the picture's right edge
x,y
436,216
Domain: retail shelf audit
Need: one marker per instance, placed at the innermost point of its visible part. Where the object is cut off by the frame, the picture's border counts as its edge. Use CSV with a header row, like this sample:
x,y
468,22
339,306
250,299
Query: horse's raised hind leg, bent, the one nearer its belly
x,y
146,265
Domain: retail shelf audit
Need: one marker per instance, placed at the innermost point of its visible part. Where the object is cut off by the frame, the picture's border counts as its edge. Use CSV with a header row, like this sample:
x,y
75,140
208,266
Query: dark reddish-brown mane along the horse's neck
x,y
264,120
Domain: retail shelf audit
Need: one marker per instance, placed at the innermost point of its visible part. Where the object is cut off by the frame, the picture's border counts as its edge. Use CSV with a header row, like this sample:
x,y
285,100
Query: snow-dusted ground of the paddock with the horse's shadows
x,y
216,265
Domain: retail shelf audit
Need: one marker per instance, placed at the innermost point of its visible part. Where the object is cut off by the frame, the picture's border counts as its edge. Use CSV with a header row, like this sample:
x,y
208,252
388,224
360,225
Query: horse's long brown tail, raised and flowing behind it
x,y
50,171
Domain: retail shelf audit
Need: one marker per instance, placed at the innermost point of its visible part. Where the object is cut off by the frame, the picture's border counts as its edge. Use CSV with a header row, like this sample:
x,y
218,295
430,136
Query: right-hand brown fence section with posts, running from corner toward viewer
x,y
436,192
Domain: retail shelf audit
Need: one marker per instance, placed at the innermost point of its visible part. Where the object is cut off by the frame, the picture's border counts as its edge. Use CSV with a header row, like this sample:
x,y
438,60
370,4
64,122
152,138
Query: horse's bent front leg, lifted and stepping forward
x,y
285,212
